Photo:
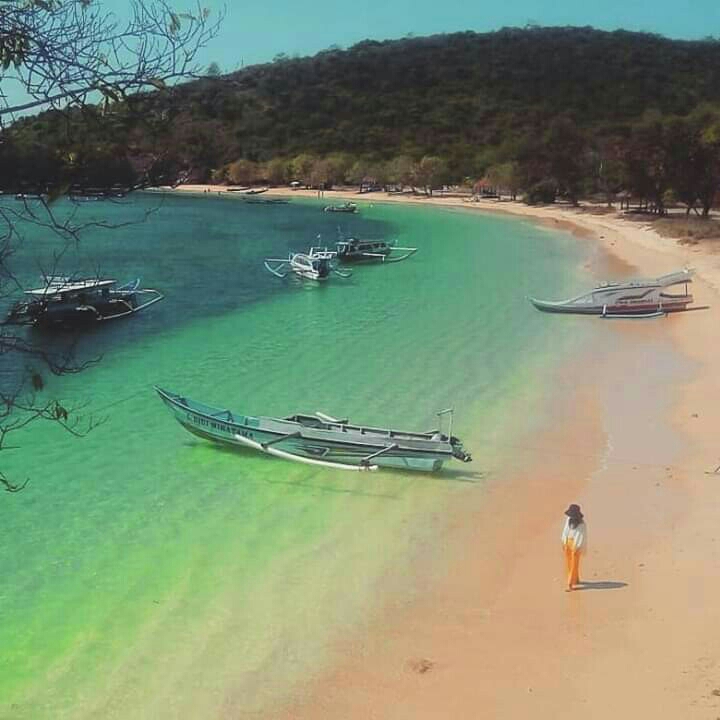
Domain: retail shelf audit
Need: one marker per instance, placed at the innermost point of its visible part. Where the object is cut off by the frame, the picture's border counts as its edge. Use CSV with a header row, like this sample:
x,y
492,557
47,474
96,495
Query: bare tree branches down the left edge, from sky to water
x,y
68,56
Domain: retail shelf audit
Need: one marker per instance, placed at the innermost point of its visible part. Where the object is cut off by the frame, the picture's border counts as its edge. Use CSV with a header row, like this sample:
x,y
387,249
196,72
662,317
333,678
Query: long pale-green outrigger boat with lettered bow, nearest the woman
x,y
319,439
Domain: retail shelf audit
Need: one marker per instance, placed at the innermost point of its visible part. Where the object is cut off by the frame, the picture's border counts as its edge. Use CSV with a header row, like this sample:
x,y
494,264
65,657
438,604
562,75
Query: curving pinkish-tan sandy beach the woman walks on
x,y
633,441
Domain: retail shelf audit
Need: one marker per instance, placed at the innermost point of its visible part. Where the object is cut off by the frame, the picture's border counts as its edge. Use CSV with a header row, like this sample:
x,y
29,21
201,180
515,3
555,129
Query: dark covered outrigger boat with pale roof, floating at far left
x,y
67,302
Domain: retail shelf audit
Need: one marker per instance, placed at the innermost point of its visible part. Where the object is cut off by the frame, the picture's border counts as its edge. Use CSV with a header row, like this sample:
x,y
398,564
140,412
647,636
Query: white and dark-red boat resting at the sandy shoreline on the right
x,y
631,299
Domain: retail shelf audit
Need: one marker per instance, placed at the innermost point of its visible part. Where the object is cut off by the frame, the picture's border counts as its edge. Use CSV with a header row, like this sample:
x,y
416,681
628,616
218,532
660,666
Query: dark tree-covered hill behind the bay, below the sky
x,y
542,110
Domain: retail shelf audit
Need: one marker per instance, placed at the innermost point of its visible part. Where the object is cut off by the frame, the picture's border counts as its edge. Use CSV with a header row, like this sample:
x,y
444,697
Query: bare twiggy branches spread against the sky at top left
x,y
65,51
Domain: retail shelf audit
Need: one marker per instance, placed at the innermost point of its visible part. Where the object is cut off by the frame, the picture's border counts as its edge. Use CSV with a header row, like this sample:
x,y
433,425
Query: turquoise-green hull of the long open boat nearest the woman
x,y
224,427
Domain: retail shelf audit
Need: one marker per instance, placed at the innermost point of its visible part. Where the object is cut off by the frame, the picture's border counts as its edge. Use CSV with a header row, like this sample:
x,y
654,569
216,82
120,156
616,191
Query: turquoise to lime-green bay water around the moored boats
x,y
149,574
